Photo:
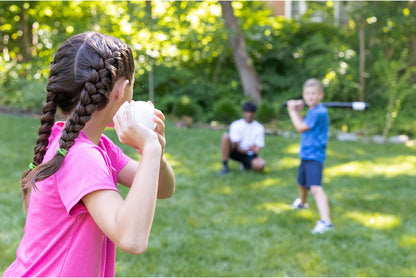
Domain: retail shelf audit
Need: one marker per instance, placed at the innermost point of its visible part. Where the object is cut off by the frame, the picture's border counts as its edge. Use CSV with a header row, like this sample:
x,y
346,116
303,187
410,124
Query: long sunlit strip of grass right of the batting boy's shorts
x,y
400,165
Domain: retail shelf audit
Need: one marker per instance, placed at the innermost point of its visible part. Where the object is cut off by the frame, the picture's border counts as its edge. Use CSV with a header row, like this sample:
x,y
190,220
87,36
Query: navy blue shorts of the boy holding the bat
x,y
310,173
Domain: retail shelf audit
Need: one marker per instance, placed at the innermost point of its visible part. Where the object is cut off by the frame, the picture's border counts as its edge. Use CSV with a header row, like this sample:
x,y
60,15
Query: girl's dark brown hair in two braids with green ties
x,y
82,74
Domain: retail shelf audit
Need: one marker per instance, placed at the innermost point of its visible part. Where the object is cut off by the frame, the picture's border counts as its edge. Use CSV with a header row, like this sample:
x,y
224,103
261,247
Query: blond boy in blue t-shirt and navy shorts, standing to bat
x,y
314,129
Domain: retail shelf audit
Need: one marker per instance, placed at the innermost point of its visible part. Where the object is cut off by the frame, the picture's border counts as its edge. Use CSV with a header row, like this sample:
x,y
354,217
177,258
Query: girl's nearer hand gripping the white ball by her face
x,y
130,132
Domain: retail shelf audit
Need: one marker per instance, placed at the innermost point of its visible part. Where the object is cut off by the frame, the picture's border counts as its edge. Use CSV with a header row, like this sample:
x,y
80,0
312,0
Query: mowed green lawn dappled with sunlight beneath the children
x,y
242,224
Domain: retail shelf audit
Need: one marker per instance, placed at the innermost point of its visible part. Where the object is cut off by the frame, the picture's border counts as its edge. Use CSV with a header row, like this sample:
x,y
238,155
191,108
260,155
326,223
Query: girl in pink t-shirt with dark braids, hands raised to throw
x,y
76,216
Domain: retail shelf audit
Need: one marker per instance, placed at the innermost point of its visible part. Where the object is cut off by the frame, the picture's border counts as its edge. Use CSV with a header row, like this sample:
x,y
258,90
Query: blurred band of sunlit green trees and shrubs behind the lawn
x,y
185,63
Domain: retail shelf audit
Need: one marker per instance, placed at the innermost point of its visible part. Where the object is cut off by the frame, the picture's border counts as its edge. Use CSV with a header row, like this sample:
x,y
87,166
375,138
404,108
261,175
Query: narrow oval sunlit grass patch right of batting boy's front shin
x,y
375,220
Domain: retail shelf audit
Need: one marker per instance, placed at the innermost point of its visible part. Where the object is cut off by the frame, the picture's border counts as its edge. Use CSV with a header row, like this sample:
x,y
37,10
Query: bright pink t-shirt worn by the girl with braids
x,y
60,237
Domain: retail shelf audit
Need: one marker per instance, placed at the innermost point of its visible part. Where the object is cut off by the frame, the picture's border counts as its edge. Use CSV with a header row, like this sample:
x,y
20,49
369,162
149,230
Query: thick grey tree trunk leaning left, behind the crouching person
x,y
249,79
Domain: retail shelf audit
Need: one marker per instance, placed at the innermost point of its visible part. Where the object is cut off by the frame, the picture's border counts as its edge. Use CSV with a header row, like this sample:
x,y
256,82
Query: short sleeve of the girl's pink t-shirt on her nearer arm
x,y
84,170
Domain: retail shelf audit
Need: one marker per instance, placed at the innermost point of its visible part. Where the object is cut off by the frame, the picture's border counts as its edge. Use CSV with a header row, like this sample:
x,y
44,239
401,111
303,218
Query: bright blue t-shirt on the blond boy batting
x,y
313,142
